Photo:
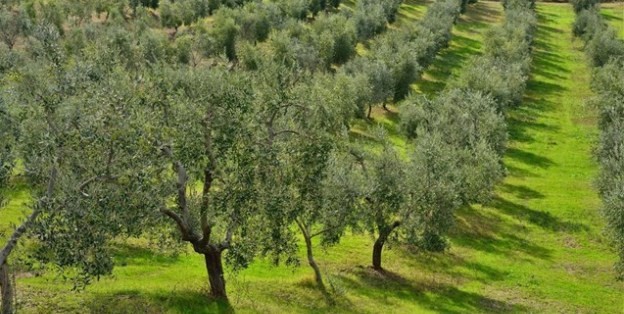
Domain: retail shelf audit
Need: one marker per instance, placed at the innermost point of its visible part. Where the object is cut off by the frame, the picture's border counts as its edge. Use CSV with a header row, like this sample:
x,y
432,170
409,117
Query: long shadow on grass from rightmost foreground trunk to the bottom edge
x,y
382,287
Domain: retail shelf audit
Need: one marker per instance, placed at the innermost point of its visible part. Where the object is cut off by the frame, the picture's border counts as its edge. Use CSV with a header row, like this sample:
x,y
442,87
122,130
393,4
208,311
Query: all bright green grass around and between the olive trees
x,y
538,247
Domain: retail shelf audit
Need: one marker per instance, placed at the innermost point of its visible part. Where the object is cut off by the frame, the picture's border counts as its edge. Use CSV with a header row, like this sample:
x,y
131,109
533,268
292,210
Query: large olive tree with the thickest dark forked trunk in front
x,y
200,128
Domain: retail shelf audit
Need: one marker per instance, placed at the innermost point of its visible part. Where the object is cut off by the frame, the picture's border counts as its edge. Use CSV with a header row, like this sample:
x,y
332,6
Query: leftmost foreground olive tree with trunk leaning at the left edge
x,y
67,145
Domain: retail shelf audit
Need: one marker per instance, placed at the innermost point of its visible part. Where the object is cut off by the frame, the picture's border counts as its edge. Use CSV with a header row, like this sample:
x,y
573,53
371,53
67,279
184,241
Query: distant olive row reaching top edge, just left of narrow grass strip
x,y
398,58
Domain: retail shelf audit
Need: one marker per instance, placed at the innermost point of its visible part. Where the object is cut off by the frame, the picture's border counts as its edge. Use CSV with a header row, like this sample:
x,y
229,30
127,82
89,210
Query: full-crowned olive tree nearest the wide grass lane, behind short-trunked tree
x,y
468,135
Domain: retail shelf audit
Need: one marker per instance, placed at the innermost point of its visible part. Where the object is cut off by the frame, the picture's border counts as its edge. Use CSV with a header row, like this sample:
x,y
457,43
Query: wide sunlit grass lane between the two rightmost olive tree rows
x,y
542,234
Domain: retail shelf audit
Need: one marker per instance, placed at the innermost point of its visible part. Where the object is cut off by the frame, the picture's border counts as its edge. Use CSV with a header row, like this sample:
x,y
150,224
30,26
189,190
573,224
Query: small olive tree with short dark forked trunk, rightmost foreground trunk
x,y
409,200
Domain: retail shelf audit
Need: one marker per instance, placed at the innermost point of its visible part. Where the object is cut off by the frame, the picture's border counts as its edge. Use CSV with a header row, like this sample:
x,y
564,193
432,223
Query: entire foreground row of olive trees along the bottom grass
x,y
116,132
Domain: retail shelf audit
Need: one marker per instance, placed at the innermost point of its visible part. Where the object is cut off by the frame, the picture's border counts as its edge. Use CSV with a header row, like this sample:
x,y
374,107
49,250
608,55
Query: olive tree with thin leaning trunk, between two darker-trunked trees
x,y
304,118
